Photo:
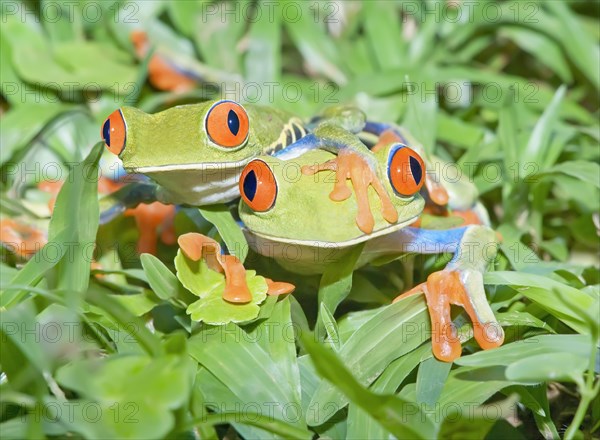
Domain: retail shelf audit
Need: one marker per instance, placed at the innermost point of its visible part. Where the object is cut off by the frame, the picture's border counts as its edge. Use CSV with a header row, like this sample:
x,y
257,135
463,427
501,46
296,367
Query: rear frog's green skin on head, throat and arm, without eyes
x,y
173,148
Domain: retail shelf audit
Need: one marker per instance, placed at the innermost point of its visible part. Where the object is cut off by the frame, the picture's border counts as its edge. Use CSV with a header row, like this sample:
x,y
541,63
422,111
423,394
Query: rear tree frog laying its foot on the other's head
x,y
196,152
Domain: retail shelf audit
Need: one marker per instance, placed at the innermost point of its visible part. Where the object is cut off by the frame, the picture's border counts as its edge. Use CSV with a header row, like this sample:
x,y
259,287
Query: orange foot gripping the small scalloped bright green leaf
x,y
196,246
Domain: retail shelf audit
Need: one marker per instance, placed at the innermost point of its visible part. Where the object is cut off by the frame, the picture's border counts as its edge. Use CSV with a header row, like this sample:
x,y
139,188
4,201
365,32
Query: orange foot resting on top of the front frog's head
x,y
350,165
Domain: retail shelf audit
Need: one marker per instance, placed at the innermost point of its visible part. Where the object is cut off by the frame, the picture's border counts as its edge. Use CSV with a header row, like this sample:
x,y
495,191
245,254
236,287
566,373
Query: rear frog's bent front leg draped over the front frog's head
x,y
353,161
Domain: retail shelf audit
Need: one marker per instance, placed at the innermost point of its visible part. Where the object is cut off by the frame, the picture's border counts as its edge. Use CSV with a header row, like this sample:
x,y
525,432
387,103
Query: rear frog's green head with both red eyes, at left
x,y
180,138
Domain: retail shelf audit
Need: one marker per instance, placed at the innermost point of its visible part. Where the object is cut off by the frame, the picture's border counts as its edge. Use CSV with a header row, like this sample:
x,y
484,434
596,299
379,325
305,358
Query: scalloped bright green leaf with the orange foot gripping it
x,y
228,292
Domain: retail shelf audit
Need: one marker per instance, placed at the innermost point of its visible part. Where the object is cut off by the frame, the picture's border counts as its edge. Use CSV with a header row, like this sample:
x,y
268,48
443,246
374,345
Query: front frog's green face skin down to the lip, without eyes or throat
x,y
303,213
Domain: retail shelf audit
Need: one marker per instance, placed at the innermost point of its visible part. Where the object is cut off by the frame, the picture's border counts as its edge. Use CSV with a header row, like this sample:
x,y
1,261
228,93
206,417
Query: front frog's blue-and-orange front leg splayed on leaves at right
x,y
459,283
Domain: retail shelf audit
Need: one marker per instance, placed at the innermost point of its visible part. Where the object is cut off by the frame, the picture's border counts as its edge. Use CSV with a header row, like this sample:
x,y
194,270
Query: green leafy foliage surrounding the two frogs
x,y
508,90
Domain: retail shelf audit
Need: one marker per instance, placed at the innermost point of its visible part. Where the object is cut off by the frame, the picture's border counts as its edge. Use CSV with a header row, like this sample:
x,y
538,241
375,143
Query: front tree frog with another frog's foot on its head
x,y
274,210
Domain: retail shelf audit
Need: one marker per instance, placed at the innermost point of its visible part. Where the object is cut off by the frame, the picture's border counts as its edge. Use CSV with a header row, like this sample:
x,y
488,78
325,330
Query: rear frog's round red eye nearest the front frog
x,y
227,124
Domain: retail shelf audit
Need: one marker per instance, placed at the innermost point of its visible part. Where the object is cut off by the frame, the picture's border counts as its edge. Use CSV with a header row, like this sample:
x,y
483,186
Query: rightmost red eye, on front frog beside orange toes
x,y
406,170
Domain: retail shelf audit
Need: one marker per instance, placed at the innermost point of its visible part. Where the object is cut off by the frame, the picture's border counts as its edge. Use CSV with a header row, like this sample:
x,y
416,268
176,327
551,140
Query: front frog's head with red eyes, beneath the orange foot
x,y
282,204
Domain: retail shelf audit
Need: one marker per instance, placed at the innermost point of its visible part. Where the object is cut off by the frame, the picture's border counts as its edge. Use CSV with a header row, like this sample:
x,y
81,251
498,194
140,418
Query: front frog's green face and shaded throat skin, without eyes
x,y
305,231
